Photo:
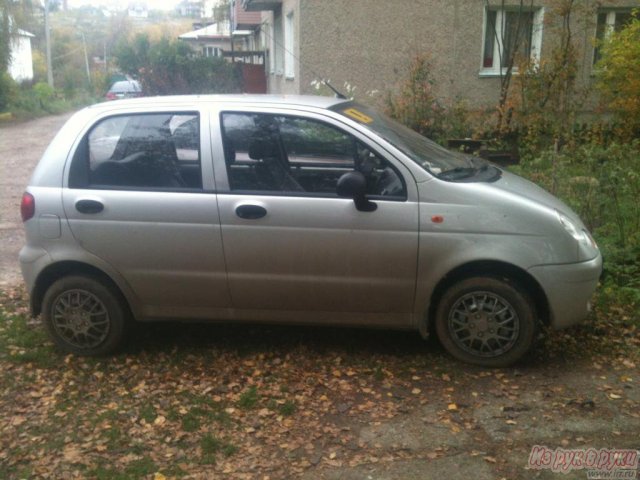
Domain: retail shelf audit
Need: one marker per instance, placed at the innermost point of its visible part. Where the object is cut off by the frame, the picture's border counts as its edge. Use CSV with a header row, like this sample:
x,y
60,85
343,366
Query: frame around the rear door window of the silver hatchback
x,y
80,162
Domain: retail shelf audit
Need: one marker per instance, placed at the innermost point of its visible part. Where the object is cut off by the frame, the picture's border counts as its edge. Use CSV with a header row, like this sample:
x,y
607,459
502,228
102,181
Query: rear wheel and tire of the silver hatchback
x,y
85,316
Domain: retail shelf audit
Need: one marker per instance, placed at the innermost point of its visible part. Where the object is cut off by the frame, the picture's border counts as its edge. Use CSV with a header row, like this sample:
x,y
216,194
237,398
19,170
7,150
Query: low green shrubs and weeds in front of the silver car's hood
x,y
602,184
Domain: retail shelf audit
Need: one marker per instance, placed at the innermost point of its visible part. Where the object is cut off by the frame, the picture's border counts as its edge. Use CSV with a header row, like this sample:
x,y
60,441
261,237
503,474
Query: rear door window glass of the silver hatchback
x,y
141,151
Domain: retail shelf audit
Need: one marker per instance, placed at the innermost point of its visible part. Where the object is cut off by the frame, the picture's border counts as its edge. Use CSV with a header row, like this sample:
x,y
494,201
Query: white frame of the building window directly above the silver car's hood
x,y
537,28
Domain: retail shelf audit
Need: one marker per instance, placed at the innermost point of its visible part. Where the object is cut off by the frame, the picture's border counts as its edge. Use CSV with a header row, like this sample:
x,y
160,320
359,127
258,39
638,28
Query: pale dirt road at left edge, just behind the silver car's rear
x,y
21,146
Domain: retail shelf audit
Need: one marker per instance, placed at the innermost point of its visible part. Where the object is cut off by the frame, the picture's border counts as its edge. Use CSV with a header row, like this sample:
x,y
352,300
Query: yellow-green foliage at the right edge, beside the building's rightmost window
x,y
618,73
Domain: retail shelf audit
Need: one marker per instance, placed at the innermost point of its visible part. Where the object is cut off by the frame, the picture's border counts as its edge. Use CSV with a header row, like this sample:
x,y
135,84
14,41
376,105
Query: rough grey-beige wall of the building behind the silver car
x,y
369,44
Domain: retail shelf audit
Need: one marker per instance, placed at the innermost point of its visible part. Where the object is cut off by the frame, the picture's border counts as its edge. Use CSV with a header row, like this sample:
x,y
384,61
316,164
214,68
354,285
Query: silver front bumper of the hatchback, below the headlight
x,y
568,288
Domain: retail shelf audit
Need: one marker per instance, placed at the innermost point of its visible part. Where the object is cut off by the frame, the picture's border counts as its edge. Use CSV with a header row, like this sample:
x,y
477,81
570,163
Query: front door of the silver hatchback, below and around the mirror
x,y
291,244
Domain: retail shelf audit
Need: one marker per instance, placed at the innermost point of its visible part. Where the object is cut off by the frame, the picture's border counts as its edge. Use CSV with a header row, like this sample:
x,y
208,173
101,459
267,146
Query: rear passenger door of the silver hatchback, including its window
x,y
139,197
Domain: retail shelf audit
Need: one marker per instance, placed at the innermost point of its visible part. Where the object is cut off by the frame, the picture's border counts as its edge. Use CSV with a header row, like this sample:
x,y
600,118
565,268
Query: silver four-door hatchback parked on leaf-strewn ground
x,y
292,209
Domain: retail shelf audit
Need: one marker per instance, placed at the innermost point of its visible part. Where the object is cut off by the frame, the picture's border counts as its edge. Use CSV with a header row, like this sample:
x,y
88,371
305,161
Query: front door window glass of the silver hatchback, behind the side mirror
x,y
277,153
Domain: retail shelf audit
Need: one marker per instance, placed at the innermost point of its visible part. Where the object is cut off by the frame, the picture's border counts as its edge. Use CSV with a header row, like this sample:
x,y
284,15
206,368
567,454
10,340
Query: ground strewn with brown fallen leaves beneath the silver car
x,y
194,401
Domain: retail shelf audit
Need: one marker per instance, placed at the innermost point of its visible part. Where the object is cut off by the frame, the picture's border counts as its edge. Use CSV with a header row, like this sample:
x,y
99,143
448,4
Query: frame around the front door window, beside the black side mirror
x,y
340,126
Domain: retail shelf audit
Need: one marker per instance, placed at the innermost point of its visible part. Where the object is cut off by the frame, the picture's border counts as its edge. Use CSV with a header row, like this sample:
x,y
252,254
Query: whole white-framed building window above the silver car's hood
x,y
510,35
